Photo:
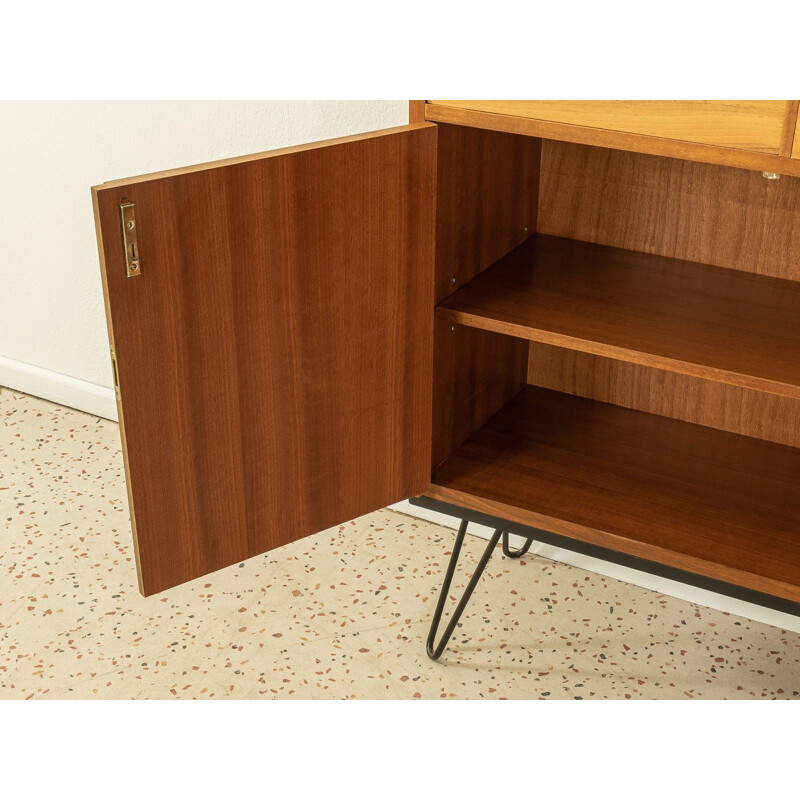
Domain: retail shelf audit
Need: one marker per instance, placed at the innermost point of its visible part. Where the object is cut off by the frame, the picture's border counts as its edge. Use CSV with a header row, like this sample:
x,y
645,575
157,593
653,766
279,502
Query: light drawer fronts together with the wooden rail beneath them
x,y
751,134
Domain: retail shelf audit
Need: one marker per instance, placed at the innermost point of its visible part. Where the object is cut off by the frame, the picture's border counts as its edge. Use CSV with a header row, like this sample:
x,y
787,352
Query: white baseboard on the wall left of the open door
x,y
58,388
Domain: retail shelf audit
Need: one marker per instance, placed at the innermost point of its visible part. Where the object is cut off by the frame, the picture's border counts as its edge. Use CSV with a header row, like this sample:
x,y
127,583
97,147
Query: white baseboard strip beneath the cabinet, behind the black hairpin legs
x,y
665,586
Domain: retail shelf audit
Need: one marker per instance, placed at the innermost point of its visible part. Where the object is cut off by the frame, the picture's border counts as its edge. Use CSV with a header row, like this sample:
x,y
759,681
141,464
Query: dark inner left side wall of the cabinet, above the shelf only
x,y
487,190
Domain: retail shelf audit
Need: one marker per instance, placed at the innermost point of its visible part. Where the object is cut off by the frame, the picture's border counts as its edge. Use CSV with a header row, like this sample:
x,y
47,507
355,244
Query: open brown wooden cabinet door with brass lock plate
x,y
271,322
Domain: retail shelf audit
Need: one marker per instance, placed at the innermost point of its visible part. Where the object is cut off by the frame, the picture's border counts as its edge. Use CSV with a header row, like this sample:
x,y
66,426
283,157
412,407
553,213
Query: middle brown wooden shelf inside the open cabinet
x,y
721,324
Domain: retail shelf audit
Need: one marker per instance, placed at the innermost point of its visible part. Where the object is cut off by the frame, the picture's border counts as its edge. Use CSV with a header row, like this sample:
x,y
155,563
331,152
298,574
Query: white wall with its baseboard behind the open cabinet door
x,y
52,324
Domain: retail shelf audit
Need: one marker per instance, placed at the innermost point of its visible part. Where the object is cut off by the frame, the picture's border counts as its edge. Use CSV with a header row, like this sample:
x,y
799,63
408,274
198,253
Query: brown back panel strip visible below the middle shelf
x,y
717,405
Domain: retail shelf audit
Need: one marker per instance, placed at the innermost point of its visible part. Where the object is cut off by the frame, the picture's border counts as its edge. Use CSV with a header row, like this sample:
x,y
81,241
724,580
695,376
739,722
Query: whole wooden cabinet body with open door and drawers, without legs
x,y
579,317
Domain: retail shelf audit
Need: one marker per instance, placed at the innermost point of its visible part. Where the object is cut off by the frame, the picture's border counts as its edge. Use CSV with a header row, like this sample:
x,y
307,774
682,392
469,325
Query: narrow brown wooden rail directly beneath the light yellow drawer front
x,y
618,140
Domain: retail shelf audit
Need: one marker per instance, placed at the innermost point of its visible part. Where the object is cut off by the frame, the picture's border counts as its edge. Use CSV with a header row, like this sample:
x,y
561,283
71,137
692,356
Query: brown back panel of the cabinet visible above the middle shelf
x,y
698,212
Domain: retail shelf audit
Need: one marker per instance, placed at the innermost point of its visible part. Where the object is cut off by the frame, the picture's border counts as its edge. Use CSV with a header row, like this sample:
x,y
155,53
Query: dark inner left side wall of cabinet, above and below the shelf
x,y
487,195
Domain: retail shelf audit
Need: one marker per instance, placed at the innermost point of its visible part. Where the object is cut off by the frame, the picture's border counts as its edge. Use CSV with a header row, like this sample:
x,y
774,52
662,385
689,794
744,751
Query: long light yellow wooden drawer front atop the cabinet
x,y
743,124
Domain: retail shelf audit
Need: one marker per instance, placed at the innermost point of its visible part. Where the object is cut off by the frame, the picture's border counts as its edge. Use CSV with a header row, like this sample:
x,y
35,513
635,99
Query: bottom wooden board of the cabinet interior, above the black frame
x,y
713,503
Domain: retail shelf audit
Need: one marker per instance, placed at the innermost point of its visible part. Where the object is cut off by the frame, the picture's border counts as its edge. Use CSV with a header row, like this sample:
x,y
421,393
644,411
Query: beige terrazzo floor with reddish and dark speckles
x,y
342,614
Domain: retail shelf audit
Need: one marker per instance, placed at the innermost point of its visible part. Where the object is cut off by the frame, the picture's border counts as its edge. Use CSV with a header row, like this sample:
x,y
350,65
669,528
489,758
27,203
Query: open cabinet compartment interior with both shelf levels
x,y
615,351
